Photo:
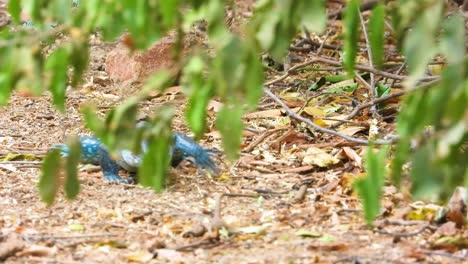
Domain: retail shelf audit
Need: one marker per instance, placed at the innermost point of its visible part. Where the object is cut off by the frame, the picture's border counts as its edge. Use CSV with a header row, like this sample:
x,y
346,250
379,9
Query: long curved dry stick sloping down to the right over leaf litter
x,y
319,128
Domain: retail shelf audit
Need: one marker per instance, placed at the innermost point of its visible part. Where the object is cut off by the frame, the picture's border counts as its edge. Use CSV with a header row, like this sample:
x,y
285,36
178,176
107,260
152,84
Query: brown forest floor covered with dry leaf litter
x,y
279,205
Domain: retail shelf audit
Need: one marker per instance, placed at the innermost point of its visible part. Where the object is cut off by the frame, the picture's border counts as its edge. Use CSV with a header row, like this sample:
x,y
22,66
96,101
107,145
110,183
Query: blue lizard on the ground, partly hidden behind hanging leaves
x,y
94,152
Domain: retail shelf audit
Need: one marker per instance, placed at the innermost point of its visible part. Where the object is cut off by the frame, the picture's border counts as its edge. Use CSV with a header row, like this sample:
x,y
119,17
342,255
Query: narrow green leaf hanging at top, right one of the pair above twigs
x,y
376,34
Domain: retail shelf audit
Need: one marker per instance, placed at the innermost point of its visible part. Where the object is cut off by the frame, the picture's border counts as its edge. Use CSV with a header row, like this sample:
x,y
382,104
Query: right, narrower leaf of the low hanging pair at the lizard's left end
x,y
72,185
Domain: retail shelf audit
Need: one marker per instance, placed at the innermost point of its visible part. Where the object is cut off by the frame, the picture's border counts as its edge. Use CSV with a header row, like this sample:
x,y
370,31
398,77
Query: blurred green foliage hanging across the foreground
x,y
432,128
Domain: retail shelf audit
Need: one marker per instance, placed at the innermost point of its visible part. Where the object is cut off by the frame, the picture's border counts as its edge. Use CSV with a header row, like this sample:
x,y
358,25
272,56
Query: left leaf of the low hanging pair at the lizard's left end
x,y
49,181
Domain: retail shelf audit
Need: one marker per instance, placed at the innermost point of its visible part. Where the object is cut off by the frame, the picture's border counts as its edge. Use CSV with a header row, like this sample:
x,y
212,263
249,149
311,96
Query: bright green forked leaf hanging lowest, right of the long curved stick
x,y
370,188
